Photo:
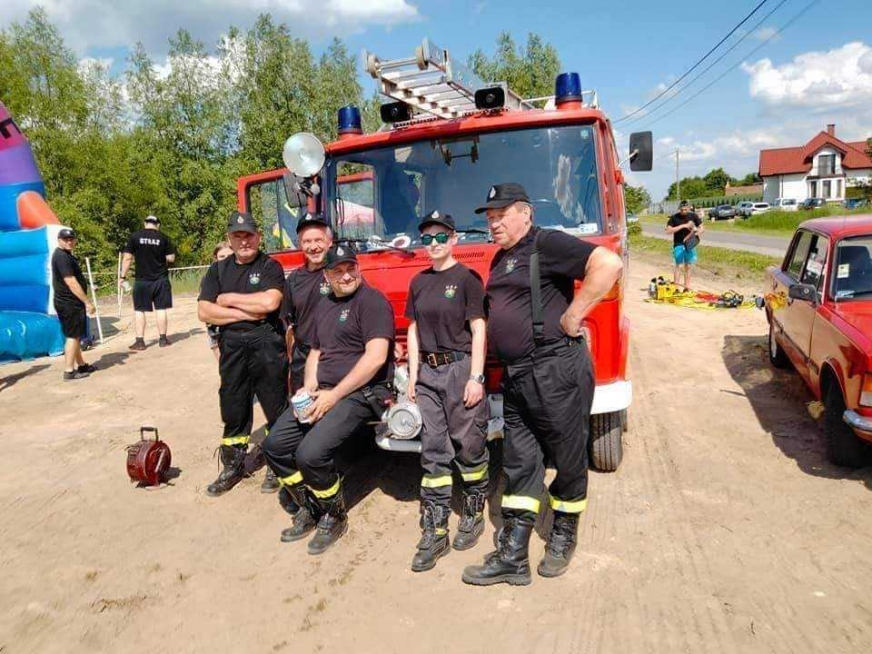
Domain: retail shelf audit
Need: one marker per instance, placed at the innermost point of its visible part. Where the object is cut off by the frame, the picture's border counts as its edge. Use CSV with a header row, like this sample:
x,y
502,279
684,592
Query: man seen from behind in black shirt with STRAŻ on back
x,y
152,251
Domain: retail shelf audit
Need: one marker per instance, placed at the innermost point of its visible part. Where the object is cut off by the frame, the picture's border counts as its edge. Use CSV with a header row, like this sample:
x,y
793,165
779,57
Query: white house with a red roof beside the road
x,y
822,168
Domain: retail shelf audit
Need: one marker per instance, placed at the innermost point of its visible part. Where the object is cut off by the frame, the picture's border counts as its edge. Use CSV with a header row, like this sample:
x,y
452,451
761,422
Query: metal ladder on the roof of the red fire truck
x,y
431,82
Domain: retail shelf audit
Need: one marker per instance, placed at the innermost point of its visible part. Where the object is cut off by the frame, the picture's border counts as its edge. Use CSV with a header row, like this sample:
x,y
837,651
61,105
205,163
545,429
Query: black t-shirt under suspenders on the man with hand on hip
x,y
562,260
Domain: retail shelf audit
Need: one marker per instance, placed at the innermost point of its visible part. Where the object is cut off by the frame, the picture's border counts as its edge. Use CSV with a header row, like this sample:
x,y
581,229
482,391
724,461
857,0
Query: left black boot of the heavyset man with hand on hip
x,y
510,563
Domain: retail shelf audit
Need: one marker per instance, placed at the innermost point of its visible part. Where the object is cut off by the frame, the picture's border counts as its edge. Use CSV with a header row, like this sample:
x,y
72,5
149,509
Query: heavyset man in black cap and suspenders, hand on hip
x,y
535,331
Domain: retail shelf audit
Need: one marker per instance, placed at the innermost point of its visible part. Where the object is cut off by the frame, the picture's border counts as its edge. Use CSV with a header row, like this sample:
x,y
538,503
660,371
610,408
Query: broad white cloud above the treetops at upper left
x,y
109,23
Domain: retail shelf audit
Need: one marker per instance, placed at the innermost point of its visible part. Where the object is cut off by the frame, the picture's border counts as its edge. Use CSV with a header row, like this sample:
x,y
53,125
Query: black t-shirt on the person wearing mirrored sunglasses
x,y
442,303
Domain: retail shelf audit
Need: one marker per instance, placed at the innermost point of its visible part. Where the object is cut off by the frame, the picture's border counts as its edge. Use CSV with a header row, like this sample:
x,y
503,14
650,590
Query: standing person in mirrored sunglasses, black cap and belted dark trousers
x,y
446,342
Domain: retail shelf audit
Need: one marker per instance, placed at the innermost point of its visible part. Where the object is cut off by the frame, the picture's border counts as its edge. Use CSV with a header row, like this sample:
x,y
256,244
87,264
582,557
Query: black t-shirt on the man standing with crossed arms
x,y
228,276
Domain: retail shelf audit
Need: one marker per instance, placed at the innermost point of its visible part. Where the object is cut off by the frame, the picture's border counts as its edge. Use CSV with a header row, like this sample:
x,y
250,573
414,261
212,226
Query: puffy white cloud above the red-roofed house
x,y
816,81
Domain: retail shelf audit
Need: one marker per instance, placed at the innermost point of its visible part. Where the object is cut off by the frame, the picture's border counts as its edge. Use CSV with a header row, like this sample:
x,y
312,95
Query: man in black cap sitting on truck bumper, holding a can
x,y
347,373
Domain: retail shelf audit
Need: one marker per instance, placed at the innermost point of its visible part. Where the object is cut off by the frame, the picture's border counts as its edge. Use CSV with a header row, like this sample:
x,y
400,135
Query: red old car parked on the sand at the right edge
x,y
819,307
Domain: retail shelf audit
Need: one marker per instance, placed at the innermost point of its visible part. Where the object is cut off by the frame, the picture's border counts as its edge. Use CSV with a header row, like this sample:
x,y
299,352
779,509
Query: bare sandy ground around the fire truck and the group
x,y
724,530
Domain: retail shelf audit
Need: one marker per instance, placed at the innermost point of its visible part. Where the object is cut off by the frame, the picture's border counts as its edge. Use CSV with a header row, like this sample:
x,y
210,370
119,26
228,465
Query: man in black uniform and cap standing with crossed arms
x,y
242,295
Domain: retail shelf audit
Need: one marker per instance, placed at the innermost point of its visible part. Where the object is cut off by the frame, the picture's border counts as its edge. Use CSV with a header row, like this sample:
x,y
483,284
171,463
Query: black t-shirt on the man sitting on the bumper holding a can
x,y
343,326
